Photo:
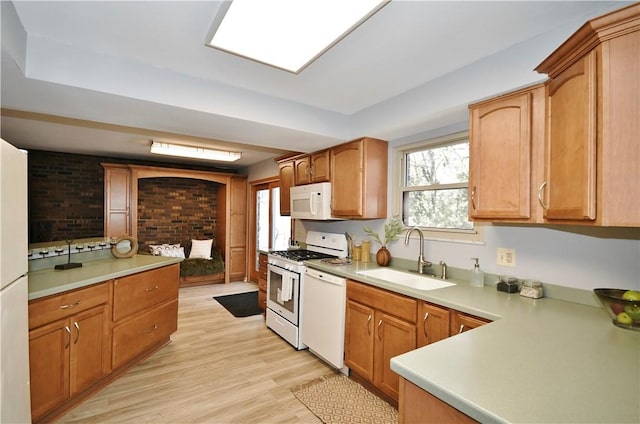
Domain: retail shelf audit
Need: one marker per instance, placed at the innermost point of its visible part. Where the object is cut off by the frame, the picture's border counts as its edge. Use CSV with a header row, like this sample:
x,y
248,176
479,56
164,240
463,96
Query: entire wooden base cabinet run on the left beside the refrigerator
x,y
82,339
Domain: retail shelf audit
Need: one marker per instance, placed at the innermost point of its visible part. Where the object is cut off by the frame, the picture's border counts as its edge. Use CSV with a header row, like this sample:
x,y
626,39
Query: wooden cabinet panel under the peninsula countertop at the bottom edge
x,y
419,406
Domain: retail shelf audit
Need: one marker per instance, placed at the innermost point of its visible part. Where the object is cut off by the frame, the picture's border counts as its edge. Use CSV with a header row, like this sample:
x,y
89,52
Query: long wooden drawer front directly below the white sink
x,y
394,304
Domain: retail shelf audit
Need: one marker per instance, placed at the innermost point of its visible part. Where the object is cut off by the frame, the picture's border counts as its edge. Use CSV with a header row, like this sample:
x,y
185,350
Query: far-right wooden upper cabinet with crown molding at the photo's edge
x,y
592,126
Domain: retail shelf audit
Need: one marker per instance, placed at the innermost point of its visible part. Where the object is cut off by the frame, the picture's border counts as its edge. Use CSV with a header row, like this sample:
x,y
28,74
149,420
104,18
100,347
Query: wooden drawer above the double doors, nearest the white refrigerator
x,y
59,306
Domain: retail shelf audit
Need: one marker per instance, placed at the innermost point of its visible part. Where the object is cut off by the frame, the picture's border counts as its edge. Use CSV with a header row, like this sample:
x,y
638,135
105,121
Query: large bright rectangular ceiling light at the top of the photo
x,y
287,34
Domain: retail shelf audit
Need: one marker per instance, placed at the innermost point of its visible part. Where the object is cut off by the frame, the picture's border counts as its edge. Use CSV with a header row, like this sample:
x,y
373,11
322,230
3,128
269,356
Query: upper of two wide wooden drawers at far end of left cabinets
x,y
137,292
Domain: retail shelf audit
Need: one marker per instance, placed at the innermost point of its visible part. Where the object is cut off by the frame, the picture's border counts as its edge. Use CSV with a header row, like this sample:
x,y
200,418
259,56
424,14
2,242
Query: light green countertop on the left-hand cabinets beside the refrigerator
x,y
50,281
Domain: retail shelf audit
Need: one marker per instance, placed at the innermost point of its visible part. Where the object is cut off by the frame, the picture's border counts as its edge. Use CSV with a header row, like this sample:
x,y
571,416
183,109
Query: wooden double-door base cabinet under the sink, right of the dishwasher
x,y
379,325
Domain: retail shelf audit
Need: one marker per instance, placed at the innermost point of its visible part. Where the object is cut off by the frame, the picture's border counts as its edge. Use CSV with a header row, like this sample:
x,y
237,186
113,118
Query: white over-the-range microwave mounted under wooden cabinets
x,y
311,201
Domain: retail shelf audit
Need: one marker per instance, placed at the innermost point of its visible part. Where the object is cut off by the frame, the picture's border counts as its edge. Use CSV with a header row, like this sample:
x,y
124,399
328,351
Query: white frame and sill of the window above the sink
x,y
471,236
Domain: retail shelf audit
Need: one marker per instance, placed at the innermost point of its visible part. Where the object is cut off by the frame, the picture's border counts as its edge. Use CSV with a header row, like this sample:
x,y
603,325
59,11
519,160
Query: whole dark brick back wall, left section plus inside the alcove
x,y
66,200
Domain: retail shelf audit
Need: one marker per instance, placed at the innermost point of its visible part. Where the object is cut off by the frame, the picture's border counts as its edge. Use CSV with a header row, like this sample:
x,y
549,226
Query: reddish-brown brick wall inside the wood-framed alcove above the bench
x,y
175,210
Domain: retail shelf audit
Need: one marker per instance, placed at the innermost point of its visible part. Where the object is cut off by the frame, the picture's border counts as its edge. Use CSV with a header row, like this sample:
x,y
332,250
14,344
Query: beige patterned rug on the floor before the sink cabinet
x,y
337,399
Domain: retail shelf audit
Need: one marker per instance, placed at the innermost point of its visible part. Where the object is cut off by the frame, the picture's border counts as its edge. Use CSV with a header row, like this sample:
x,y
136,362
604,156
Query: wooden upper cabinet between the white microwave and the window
x,y
359,179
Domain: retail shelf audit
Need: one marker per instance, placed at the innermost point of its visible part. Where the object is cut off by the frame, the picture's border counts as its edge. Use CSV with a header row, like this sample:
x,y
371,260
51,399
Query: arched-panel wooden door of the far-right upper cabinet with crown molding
x,y
571,142
